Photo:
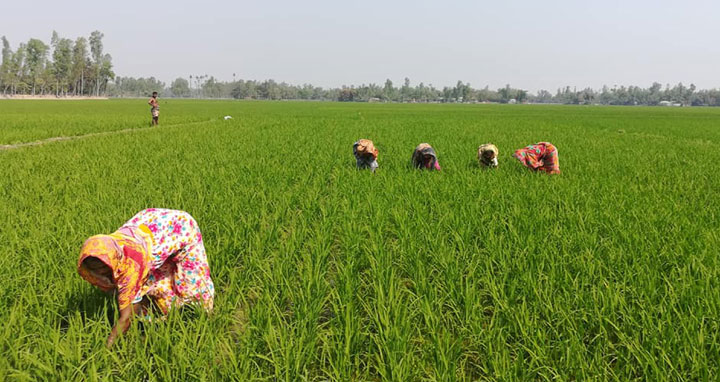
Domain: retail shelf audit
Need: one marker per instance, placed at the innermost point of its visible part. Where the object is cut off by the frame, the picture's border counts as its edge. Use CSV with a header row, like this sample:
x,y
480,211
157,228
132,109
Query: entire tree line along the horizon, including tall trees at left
x,y
80,67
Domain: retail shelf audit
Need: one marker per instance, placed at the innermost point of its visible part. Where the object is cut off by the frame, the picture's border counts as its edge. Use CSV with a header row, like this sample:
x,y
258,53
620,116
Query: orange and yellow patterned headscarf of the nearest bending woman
x,y
127,253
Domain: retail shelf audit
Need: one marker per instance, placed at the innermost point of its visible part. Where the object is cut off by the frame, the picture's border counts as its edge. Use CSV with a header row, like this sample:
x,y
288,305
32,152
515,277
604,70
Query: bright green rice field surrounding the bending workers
x,y
609,271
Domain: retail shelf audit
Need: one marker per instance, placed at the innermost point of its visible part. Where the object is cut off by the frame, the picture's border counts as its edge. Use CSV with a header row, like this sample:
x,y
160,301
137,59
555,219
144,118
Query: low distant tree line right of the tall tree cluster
x,y
203,86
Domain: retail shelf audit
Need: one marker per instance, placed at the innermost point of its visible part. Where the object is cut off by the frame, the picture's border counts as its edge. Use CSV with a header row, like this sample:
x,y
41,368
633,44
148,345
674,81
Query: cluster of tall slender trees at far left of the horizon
x,y
64,67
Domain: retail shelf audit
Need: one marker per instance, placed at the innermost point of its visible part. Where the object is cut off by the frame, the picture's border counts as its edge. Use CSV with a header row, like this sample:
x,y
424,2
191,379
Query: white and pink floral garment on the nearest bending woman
x,y
179,270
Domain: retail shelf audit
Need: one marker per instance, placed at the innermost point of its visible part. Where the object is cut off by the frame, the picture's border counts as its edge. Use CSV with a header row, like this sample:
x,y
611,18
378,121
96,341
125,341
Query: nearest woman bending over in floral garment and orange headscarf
x,y
157,255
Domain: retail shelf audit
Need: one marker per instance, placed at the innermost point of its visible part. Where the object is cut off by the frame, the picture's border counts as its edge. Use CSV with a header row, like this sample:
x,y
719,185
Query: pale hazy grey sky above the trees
x,y
529,44
